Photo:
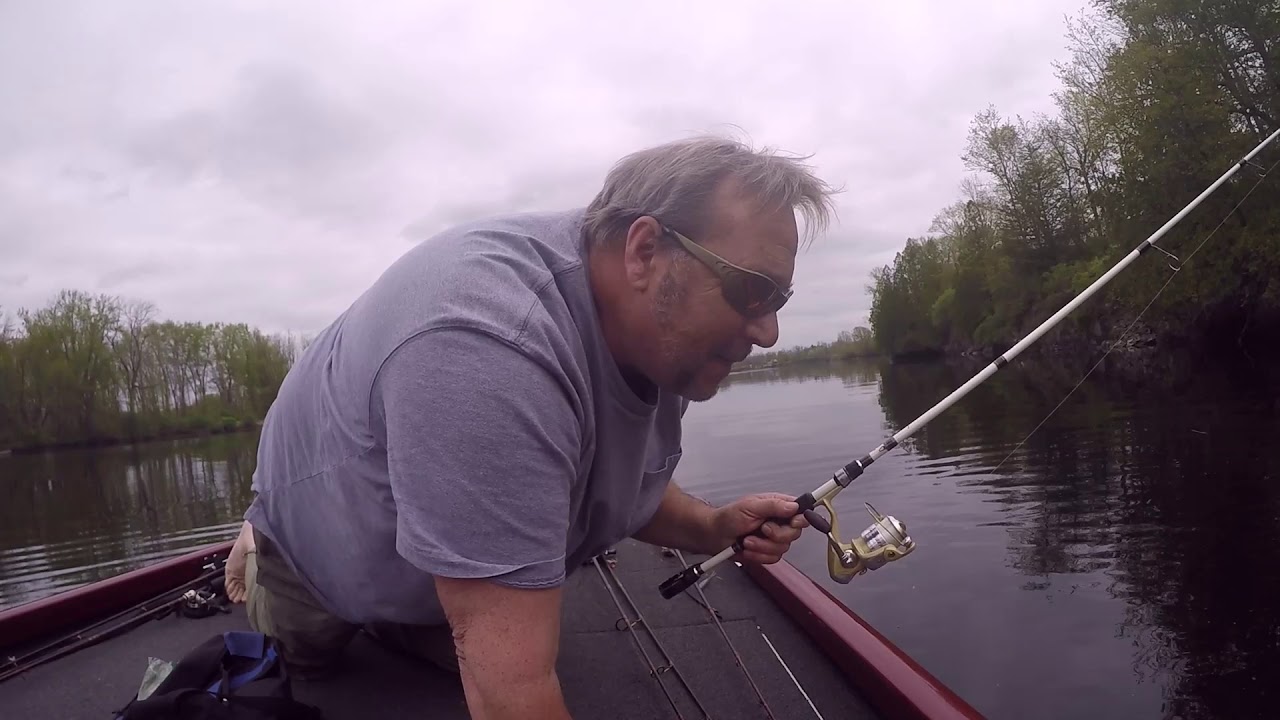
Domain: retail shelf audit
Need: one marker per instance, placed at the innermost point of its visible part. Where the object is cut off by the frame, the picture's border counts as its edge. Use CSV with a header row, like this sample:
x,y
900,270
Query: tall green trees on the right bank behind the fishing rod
x,y
1159,99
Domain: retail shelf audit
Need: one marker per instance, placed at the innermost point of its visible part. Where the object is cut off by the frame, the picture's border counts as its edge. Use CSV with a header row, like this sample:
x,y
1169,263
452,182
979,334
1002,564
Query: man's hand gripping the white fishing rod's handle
x,y
760,512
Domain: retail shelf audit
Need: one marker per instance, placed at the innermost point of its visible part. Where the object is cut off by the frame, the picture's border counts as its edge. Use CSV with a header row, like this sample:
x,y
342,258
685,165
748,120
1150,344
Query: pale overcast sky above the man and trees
x,y
266,162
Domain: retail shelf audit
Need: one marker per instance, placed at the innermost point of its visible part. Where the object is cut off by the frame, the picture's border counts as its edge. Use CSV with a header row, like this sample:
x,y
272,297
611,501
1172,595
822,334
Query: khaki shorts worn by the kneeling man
x,y
312,640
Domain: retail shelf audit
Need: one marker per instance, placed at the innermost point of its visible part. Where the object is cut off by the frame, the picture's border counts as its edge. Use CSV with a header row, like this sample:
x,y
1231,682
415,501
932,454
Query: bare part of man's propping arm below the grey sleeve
x,y
508,641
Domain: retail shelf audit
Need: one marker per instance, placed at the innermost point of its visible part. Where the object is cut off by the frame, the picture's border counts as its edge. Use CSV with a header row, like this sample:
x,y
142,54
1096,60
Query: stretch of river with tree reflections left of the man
x,y
74,517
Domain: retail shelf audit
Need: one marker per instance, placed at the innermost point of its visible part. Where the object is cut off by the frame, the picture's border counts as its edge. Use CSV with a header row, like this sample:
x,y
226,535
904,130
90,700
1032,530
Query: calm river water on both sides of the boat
x,y
1118,564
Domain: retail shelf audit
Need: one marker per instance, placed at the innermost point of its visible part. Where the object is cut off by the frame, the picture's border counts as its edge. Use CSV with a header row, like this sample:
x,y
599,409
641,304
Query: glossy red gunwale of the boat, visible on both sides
x,y
892,682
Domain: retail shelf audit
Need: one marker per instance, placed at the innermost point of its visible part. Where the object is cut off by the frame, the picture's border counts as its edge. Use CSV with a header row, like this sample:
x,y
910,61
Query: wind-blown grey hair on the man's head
x,y
675,181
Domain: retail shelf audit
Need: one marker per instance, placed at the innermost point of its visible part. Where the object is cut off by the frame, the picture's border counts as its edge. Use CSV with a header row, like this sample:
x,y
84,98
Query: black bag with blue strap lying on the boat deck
x,y
235,676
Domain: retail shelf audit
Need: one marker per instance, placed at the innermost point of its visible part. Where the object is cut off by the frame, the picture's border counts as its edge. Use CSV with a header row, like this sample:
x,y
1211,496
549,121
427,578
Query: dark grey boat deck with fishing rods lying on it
x,y
604,666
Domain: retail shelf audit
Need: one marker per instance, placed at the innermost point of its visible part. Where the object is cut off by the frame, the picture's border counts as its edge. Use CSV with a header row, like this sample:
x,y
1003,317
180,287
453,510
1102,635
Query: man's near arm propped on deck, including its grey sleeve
x,y
483,446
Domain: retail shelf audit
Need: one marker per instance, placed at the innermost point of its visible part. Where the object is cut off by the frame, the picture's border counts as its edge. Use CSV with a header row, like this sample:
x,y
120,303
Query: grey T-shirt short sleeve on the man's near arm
x,y
483,449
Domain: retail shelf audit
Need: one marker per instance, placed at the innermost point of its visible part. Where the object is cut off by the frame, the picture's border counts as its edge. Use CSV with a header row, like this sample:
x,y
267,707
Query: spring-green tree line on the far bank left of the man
x,y
92,370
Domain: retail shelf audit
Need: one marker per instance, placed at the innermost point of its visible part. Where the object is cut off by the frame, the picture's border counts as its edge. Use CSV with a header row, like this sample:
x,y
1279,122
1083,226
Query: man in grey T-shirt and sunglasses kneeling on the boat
x,y
504,404
